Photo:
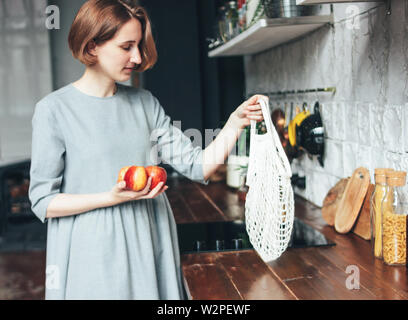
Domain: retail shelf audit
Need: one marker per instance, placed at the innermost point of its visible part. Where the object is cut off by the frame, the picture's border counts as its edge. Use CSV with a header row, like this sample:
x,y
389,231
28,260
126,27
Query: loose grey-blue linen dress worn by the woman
x,y
79,144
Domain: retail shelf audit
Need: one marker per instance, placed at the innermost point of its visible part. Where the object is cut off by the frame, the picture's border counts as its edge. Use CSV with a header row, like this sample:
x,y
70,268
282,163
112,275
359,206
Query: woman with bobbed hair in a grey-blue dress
x,y
107,242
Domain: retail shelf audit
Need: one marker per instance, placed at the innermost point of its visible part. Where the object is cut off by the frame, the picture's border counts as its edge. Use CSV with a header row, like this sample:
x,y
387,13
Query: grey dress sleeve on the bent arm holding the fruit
x,y
47,160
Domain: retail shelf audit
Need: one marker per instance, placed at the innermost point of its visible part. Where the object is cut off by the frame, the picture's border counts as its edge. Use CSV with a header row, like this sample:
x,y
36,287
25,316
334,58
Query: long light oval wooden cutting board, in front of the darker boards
x,y
352,200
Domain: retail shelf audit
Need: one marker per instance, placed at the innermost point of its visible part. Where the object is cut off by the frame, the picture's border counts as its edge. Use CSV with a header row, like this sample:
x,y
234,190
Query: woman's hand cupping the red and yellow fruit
x,y
120,194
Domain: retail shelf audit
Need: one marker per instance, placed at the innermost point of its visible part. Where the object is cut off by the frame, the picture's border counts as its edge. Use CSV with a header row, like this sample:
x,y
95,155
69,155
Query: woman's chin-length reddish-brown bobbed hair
x,y
99,20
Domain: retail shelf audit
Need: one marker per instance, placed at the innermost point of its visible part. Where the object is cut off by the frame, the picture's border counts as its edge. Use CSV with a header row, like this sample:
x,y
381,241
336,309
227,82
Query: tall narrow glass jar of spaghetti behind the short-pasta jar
x,y
375,210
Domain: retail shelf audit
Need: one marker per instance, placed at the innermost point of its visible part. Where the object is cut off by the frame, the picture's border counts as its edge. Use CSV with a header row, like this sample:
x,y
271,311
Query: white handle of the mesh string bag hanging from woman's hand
x,y
272,132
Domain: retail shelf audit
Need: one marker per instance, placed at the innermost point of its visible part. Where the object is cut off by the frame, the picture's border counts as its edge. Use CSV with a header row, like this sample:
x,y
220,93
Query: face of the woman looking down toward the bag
x,y
117,56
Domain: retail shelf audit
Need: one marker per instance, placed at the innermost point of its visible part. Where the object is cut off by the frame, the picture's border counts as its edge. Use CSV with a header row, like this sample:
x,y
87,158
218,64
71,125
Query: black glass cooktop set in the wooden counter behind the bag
x,y
232,235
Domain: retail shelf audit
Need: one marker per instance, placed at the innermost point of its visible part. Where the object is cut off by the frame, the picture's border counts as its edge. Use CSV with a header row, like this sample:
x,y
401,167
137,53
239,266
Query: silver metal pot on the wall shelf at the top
x,y
285,9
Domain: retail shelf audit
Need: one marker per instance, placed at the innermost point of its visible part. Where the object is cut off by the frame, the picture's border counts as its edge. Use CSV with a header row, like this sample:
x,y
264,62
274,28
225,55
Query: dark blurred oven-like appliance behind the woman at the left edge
x,y
20,229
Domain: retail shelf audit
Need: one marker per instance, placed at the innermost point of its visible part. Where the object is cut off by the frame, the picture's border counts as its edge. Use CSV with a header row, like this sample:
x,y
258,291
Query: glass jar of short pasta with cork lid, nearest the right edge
x,y
394,208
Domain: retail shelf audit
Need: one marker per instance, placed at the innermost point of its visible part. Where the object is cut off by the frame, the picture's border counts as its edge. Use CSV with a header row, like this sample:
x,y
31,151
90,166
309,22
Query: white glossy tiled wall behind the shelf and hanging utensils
x,y
366,121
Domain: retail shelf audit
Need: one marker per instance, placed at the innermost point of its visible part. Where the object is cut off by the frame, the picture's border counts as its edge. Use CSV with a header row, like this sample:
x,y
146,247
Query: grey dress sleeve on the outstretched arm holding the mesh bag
x,y
174,147
